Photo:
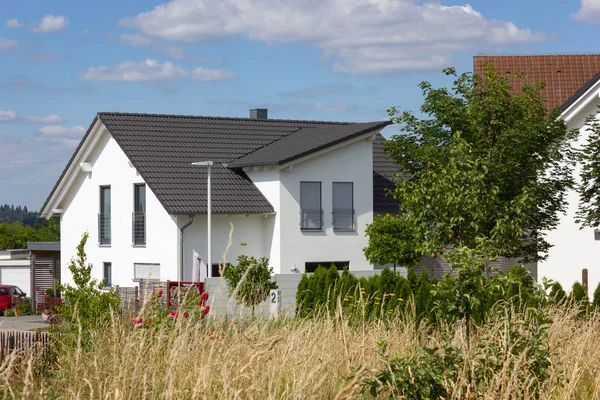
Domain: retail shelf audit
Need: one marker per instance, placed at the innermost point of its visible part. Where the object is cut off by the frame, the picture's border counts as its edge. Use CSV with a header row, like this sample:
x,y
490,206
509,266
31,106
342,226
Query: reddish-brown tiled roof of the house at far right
x,y
564,74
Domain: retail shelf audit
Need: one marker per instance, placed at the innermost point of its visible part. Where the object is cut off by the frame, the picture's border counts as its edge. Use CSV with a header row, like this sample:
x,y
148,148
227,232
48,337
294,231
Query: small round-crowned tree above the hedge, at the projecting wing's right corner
x,y
391,241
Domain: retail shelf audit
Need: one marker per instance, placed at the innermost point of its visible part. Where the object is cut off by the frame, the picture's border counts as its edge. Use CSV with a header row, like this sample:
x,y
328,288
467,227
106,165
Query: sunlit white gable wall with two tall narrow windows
x,y
81,206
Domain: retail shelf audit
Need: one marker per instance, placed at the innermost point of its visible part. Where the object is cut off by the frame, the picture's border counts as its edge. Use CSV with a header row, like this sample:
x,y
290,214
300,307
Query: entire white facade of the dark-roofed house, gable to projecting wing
x,y
101,162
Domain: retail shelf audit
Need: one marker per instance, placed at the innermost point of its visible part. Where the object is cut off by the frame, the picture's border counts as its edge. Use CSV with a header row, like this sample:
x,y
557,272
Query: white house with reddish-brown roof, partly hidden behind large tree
x,y
572,85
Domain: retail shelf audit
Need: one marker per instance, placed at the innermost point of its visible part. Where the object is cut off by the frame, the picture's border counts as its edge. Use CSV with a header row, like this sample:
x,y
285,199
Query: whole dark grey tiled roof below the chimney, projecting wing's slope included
x,y
162,148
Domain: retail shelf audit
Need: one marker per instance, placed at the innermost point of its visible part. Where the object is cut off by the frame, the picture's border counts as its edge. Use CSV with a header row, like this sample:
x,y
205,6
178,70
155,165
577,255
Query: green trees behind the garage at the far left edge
x,y
16,235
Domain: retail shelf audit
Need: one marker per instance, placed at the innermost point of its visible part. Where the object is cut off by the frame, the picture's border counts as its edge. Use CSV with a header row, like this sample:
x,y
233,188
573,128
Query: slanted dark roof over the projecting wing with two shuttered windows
x,y
305,141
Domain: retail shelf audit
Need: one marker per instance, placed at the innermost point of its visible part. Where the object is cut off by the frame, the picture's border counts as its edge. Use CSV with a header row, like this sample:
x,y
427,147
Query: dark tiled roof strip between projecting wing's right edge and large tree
x,y
384,173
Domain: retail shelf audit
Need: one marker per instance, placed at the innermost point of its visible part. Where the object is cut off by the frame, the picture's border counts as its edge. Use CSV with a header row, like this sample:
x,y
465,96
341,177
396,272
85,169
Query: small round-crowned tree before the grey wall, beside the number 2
x,y
249,282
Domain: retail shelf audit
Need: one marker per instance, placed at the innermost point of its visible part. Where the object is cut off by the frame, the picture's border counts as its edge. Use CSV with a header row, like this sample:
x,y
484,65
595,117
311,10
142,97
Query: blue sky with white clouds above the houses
x,y
61,62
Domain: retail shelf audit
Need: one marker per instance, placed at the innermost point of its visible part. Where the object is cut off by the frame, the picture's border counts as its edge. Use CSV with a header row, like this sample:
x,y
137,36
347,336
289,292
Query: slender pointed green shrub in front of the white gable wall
x,y
86,306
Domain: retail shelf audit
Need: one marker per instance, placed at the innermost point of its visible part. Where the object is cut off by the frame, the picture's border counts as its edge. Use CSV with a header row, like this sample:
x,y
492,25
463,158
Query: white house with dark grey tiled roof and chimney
x,y
297,192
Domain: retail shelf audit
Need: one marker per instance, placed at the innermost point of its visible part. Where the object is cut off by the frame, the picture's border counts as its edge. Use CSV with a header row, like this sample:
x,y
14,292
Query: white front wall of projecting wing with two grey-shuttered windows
x,y
351,163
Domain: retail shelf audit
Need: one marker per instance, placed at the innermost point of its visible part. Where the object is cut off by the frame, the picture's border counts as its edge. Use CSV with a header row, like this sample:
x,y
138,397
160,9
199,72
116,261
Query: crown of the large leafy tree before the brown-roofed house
x,y
484,164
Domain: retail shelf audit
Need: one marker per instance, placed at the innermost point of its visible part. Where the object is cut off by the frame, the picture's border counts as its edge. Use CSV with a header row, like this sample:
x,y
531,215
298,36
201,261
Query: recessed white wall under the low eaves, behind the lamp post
x,y
247,238
